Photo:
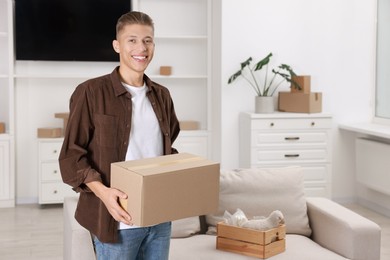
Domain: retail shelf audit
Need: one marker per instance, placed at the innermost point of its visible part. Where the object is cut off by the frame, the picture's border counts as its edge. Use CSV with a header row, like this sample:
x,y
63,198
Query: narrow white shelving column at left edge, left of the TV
x,y
7,173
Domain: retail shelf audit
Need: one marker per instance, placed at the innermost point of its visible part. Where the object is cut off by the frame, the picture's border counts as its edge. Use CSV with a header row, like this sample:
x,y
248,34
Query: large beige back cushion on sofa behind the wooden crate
x,y
259,191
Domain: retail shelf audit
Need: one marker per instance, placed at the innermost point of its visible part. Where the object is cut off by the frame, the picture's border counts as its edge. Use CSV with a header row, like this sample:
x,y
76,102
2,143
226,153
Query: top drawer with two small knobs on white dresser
x,y
292,123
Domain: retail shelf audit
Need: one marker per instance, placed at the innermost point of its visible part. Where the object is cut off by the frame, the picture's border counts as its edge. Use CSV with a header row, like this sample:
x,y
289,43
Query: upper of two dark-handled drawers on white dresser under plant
x,y
260,138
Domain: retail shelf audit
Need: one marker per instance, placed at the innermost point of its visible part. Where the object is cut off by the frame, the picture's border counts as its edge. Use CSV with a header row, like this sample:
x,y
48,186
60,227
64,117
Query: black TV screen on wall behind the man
x,y
67,30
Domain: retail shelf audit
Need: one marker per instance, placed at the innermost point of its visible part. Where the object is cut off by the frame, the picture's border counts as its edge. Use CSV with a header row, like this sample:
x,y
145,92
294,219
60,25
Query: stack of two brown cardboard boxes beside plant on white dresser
x,y
300,100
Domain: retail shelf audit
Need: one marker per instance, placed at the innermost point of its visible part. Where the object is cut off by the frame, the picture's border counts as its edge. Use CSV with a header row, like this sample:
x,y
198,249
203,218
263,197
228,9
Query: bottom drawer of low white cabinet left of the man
x,y
54,192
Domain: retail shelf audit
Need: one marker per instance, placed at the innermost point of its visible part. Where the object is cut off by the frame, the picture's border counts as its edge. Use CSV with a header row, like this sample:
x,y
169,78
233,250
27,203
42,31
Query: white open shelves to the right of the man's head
x,y
183,41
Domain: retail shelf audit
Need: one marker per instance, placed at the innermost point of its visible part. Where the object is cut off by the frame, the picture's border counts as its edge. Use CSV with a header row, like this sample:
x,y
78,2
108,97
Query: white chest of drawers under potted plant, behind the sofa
x,y
286,139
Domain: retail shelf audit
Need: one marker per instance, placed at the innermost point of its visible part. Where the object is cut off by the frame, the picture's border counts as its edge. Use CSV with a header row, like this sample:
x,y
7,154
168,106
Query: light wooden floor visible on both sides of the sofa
x,y
31,232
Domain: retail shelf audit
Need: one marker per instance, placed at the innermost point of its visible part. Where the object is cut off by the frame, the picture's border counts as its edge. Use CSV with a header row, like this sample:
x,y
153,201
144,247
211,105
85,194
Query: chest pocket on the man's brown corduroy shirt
x,y
106,130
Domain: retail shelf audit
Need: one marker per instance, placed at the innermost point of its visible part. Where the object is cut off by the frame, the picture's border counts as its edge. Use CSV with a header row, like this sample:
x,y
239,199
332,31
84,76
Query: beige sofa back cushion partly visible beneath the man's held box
x,y
185,227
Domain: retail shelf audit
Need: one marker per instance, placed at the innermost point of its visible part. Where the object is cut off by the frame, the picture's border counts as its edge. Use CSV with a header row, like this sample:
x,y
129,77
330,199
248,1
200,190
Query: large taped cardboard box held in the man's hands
x,y
167,188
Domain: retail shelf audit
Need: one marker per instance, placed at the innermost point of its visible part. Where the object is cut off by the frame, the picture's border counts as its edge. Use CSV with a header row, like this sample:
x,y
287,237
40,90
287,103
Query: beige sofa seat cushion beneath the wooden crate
x,y
202,247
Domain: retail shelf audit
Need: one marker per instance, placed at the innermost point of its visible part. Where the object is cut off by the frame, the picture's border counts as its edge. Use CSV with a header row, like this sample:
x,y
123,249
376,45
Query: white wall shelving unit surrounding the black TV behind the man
x,y
42,88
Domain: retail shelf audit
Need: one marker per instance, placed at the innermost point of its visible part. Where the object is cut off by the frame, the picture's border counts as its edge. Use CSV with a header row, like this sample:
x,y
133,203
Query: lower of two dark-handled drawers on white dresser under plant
x,y
274,156
